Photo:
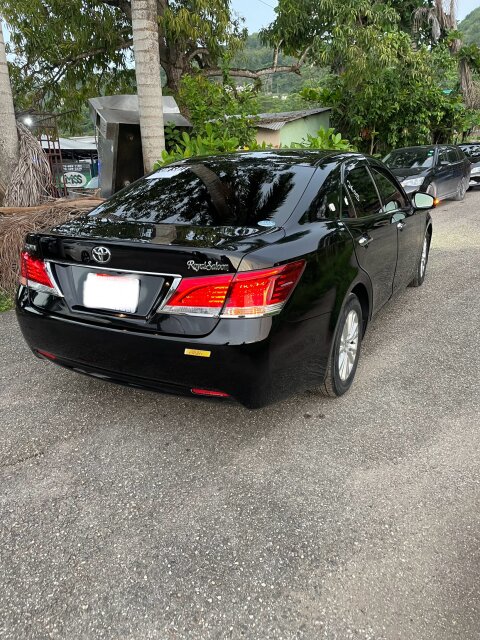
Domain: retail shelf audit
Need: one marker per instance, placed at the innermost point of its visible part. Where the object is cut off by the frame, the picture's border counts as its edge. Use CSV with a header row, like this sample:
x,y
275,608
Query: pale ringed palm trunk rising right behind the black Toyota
x,y
149,86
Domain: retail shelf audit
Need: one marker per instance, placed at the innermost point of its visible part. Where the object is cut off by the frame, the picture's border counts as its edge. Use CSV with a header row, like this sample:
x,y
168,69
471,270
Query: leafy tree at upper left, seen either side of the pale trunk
x,y
66,52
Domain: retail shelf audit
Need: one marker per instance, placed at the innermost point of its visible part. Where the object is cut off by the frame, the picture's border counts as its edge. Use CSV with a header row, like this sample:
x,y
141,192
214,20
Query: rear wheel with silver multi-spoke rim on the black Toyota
x,y
347,342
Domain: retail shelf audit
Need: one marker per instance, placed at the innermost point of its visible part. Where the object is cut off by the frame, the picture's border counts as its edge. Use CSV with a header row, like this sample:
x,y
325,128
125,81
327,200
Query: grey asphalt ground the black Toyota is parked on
x,y
126,514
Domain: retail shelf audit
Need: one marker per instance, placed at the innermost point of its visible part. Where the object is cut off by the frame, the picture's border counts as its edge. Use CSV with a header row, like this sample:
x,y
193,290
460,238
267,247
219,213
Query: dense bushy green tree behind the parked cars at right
x,y
400,105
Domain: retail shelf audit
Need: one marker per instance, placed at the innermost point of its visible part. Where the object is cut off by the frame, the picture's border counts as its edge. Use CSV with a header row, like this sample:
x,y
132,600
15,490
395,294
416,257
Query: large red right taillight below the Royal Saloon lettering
x,y
245,294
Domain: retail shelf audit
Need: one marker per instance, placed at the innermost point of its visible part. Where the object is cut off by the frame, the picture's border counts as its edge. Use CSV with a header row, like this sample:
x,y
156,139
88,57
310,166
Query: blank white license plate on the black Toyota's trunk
x,y
110,292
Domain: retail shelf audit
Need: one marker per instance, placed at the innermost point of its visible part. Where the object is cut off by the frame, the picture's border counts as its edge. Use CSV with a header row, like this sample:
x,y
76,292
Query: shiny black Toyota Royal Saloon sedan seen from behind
x,y
247,276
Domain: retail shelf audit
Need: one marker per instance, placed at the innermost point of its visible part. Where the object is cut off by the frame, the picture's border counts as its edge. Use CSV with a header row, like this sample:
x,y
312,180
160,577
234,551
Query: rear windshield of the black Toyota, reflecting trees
x,y
239,191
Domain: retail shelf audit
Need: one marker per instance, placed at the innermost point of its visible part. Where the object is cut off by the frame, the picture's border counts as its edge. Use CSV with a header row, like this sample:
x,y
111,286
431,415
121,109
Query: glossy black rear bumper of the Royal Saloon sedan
x,y
287,358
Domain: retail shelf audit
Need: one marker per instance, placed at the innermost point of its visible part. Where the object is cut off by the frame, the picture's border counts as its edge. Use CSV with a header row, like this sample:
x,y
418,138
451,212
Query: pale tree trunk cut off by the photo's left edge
x,y
8,138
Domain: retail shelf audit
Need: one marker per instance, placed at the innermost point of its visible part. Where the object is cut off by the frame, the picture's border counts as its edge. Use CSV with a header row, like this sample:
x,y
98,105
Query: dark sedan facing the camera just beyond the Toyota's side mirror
x,y
440,170
